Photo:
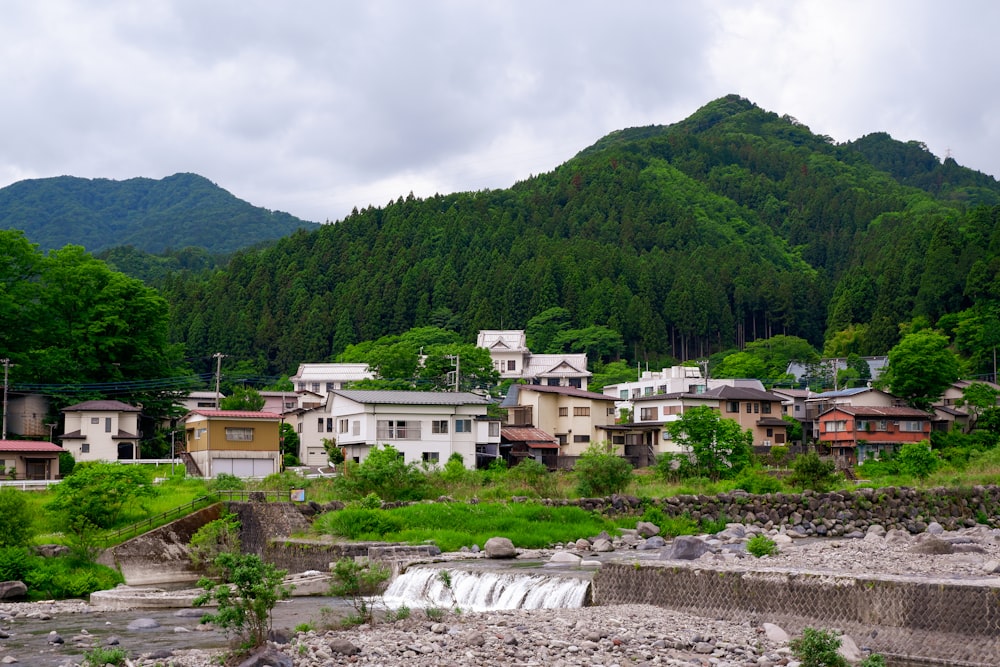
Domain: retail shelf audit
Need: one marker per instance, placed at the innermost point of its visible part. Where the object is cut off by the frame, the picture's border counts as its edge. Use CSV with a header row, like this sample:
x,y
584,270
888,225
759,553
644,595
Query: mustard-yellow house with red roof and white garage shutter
x,y
235,442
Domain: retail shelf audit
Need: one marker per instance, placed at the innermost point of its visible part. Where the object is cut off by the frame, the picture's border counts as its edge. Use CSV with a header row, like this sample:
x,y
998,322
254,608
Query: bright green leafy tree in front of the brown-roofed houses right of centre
x,y
720,448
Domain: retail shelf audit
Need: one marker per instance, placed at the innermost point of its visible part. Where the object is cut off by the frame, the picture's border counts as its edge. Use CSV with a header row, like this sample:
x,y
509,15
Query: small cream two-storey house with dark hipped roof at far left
x,y
101,431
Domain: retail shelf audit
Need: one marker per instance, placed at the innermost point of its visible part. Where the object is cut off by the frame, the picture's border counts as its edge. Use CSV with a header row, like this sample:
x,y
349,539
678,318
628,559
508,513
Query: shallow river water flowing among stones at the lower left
x,y
29,638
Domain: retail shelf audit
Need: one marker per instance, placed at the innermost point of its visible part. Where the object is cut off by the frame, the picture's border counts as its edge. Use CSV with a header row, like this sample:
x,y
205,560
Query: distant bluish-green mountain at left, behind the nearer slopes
x,y
150,215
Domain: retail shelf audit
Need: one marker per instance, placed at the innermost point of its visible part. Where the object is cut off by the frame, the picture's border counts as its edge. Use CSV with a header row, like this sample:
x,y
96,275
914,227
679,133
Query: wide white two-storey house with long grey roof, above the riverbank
x,y
426,426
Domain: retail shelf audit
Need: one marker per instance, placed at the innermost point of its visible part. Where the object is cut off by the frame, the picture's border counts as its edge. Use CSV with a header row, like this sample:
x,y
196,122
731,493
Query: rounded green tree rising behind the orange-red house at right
x,y
921,366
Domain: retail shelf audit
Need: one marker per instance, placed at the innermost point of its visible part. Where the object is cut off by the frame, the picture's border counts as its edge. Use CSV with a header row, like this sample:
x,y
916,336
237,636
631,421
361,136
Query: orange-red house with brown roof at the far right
x,y
855,434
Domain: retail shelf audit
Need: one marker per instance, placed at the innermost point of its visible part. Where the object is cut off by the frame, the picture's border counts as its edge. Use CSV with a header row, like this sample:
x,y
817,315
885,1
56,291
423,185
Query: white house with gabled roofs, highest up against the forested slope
x,y
515,361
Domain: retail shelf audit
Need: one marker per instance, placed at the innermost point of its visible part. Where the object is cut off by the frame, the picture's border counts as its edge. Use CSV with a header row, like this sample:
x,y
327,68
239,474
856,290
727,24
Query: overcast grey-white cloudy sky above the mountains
x,y
316,106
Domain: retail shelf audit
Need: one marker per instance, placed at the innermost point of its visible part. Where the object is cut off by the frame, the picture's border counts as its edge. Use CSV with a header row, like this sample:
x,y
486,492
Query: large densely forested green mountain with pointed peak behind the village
x,y
733,225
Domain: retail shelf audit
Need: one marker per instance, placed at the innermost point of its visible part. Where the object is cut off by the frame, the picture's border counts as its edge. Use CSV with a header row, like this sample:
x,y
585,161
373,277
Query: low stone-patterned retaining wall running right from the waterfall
x,y
950,622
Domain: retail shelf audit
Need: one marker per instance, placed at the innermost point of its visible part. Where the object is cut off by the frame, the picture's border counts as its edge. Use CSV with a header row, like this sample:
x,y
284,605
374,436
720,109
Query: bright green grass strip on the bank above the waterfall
x,y
454,525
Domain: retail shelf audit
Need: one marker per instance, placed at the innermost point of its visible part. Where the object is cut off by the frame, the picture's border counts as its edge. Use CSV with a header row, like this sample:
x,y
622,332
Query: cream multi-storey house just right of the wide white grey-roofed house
x,y
574,417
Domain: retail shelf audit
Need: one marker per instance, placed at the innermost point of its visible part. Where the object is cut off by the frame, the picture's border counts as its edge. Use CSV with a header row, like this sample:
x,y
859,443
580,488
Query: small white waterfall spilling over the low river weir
x,y
485,590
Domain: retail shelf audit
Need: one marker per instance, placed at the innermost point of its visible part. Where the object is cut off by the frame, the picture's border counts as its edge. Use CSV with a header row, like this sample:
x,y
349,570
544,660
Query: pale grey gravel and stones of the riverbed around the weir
x,y
605,635
